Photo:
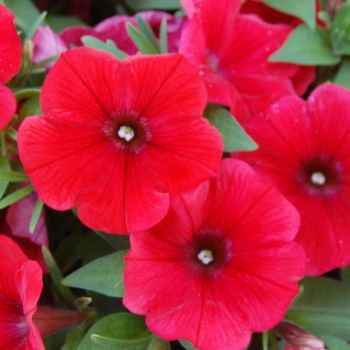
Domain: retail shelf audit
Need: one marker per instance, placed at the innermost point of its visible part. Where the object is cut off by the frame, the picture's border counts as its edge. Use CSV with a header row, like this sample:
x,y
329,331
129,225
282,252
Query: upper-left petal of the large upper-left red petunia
x,y
94,82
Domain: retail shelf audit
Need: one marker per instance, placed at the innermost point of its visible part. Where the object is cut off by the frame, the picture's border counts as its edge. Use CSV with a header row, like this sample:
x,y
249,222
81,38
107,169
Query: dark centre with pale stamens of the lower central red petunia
x,y
209,250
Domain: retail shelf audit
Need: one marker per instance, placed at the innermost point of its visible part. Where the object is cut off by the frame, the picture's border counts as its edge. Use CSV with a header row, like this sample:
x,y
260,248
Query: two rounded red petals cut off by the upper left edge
x,y
10,62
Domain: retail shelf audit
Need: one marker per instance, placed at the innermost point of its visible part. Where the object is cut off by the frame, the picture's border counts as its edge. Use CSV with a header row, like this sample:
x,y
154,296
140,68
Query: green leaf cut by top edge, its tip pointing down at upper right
x,y
303,9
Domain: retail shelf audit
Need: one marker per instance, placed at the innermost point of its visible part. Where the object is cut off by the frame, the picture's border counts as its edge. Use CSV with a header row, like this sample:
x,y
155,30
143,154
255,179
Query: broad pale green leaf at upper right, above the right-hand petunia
x,y
306,46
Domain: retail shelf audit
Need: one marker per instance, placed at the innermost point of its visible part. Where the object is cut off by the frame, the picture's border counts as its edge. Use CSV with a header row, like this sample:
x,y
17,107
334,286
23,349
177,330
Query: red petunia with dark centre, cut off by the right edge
x,y
304,147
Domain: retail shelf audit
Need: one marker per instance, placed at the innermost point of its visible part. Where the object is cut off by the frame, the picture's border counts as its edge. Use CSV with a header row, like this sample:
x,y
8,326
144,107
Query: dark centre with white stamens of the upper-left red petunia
x,y
128,132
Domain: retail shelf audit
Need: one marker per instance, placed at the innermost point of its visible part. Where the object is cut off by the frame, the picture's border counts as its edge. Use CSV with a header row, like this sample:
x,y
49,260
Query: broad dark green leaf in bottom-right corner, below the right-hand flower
x,y
323,308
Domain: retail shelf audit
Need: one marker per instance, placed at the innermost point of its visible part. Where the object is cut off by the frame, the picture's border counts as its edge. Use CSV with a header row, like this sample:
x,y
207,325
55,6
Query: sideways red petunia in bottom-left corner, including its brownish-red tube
x,y
23,323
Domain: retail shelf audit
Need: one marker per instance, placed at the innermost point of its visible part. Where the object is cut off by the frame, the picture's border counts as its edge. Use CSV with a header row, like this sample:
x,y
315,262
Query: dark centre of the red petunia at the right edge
x,y
321,174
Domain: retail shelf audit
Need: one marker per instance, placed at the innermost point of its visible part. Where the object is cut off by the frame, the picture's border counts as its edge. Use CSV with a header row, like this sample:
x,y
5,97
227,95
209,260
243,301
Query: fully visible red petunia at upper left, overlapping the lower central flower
x,y
118,137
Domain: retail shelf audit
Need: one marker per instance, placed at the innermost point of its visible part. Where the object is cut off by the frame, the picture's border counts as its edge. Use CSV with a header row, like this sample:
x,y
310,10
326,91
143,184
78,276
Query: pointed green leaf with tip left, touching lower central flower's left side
x,y
103,275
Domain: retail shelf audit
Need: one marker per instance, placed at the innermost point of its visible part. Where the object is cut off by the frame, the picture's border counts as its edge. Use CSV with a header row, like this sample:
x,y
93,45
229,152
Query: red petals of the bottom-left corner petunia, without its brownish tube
x,y
20,288
